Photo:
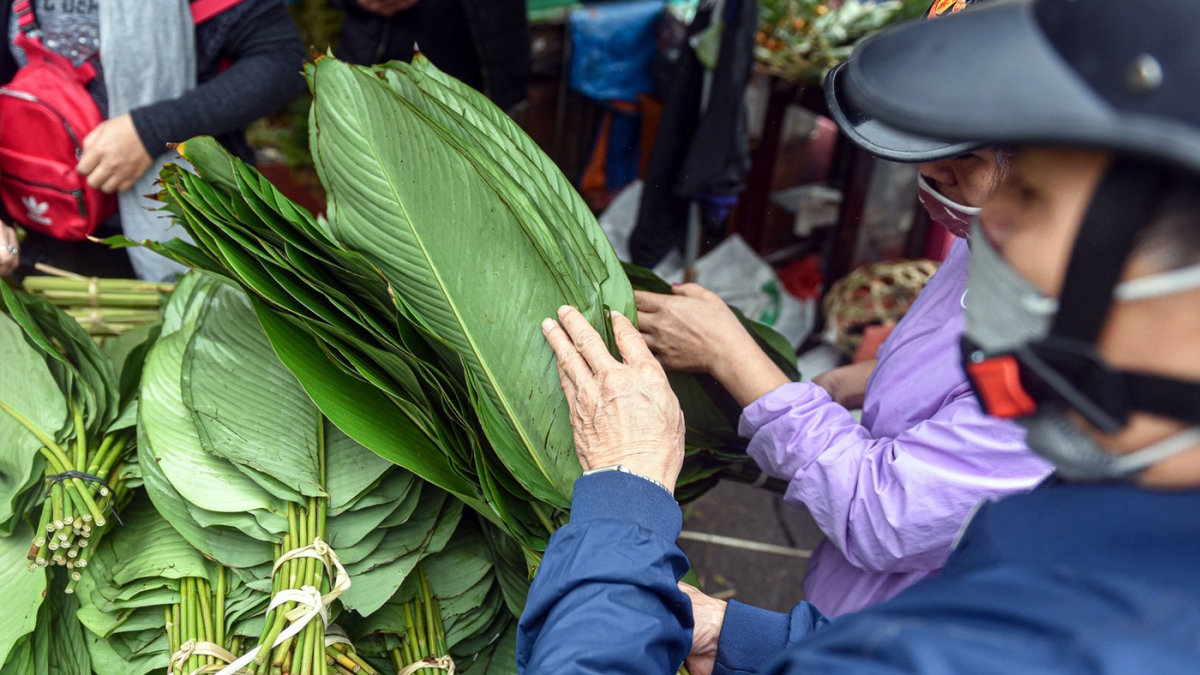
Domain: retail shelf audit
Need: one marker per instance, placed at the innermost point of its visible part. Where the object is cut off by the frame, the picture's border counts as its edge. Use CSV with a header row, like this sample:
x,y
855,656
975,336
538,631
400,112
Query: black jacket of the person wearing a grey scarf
x,y
266,58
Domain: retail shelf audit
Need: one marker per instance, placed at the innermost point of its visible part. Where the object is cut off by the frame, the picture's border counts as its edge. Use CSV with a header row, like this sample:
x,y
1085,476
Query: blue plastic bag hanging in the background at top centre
x,y
614,50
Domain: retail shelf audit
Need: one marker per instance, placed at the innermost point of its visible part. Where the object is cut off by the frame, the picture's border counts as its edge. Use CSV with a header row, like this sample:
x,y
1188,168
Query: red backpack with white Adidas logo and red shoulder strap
x,y
46,112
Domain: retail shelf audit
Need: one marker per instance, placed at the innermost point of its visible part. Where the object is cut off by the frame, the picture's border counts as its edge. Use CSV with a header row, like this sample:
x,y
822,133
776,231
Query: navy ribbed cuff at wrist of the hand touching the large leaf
x,y
614,495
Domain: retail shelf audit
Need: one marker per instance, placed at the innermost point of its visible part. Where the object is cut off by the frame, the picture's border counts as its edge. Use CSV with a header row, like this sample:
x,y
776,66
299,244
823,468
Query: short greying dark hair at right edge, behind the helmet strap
x,y
1173,235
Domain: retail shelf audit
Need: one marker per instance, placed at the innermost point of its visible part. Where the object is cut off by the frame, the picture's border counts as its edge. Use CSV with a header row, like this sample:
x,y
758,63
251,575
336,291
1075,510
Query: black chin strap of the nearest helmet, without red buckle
x,y
1065,369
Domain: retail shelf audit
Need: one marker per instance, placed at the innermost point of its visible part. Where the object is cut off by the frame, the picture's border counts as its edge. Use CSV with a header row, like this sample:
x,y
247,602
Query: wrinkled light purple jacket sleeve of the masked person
x,y
887,504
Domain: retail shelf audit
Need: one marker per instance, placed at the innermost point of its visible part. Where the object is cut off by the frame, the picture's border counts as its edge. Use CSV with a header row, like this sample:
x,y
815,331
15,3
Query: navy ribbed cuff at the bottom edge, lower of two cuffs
x,y
752,638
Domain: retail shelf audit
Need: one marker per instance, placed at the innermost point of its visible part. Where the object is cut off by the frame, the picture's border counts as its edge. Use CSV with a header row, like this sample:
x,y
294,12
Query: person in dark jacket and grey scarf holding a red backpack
x,y
165,71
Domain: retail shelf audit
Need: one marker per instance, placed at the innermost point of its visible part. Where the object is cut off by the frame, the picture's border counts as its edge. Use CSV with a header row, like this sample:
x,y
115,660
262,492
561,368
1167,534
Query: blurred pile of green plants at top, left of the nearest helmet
x,y
801,40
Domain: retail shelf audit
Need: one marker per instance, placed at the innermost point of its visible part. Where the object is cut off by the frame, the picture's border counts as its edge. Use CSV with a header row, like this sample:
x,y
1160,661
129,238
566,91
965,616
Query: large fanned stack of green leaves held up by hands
x,y
412,318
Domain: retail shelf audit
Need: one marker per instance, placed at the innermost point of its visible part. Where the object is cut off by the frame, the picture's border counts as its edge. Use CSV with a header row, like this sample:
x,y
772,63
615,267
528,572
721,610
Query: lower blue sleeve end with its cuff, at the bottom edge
x,y
753,638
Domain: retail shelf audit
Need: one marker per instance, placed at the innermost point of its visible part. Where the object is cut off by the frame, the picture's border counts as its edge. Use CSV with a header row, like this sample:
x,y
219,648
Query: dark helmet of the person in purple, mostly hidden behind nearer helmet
x,y
879,139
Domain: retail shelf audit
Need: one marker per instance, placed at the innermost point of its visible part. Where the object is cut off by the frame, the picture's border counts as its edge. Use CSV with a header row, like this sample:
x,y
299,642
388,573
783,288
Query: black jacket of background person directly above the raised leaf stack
x,y
485,44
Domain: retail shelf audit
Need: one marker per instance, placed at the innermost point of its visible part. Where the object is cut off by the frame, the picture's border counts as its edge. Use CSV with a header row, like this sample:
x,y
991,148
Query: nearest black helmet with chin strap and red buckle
x,y
1113,75
